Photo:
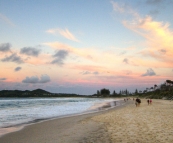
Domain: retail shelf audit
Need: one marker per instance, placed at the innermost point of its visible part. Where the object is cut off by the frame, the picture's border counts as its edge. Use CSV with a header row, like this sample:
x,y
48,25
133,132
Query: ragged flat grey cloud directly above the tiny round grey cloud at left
x,y
13,58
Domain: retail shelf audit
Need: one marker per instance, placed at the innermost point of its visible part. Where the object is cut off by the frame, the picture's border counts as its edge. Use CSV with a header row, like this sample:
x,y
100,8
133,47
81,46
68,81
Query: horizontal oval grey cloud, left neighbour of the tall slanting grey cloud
x,y
30,51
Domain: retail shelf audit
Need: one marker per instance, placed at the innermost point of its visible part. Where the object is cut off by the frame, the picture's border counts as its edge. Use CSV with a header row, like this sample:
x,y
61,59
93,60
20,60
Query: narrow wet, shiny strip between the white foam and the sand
x,y
102,107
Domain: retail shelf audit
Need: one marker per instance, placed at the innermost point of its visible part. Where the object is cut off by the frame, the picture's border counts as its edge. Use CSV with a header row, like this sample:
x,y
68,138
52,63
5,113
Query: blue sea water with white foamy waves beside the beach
x,y
17,111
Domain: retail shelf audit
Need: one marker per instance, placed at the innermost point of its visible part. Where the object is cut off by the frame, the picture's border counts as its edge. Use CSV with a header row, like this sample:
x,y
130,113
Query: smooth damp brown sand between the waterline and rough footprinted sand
x,y
69,129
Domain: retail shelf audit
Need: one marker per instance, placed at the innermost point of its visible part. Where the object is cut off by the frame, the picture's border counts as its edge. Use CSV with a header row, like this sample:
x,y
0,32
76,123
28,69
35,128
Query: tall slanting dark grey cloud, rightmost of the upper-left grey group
x,y
59,57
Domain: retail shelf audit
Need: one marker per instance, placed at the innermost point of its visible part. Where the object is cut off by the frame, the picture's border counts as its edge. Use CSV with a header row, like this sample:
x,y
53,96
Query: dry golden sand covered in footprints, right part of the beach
x,y
144,124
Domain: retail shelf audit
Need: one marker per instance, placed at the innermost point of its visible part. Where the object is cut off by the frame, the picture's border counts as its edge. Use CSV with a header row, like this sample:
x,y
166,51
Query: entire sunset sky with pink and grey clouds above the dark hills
x,y
81,46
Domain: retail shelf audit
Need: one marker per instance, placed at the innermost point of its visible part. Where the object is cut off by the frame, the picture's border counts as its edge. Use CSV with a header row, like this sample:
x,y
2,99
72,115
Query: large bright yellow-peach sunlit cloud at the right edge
x,y
158,36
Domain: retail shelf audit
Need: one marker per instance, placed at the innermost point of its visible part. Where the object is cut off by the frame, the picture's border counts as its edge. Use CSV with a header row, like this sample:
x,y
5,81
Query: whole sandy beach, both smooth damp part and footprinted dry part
x,y
123,124
